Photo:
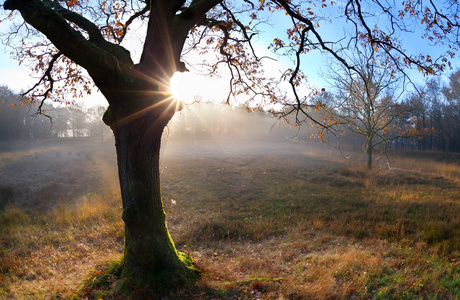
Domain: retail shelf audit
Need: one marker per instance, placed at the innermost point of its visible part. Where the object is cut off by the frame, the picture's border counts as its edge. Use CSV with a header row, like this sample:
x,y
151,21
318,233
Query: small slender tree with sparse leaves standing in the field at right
x,y
365,102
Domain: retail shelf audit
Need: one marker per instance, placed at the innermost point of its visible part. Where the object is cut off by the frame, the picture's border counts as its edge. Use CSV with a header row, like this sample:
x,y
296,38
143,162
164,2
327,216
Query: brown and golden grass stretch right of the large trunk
x,y
331,229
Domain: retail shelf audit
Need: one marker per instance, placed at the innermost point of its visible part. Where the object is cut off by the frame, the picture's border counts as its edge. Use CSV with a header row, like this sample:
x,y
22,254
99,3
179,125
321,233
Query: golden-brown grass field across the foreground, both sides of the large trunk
x,y
261,222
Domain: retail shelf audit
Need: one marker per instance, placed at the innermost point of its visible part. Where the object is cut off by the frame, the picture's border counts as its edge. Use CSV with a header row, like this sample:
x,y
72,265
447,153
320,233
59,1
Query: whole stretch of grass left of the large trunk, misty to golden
x,y
52,238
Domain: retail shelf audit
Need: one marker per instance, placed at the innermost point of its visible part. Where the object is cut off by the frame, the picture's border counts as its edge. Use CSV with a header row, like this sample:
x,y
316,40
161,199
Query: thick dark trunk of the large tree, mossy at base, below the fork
x,y
150,257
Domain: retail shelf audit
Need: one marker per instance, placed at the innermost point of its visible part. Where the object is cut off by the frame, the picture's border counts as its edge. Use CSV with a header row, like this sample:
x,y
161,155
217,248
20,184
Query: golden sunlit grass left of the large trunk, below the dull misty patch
x,y
50,251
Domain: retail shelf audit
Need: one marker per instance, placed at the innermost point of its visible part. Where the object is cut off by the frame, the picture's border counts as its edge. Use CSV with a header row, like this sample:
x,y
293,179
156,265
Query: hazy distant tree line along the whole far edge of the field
x,y
427,119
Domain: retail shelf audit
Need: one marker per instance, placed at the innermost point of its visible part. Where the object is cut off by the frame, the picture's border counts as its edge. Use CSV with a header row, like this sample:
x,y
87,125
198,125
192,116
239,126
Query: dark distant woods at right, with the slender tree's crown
x,y
425,119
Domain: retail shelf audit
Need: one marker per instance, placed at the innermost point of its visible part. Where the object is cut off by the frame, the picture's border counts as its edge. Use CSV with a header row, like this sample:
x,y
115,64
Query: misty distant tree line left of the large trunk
x,y
18,119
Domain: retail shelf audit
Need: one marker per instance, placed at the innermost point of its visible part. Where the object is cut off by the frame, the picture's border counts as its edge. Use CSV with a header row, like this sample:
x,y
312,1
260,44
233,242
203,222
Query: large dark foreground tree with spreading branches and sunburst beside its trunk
x,y
63,37
